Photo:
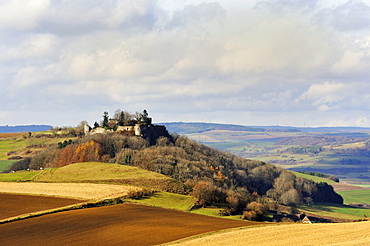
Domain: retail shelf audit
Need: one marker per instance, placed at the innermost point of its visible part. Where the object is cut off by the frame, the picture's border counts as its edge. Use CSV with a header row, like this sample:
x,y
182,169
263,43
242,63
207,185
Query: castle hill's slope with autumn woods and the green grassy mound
x,y
209,175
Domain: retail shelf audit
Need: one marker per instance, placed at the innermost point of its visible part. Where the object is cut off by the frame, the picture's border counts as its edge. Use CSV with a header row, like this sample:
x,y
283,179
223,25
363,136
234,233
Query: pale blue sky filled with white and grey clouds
x,y
247,62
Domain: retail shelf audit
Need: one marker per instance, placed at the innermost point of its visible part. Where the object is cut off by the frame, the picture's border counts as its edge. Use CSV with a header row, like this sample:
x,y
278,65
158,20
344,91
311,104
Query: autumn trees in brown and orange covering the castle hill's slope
x,y
210,175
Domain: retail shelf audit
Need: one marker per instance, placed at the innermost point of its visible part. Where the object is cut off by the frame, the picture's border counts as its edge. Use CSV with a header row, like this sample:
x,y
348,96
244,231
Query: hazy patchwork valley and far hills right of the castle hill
x,y
340,151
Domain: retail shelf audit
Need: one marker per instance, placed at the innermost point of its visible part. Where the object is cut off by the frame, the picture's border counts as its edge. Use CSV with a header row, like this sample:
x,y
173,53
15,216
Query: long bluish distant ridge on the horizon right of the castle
x,y
197,127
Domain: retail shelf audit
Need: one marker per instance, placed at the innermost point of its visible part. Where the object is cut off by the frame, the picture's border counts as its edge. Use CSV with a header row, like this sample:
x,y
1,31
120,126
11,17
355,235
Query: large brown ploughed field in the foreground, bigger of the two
x,y
123,224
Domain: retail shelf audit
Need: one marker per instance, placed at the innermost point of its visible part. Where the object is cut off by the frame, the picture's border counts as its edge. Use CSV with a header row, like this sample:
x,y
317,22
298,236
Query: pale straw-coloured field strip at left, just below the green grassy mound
x,y
84,191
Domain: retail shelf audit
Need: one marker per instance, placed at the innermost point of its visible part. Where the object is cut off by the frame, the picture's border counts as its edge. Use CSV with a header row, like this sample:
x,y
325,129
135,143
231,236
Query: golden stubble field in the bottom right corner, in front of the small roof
x,y
357,233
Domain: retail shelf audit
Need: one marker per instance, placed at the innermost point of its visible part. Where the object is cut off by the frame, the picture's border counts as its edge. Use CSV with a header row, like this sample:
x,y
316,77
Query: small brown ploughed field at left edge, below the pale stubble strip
x,y
13,205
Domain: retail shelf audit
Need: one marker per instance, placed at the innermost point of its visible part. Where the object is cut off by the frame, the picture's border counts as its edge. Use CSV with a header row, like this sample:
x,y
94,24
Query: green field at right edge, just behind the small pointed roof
x,y
336,211
